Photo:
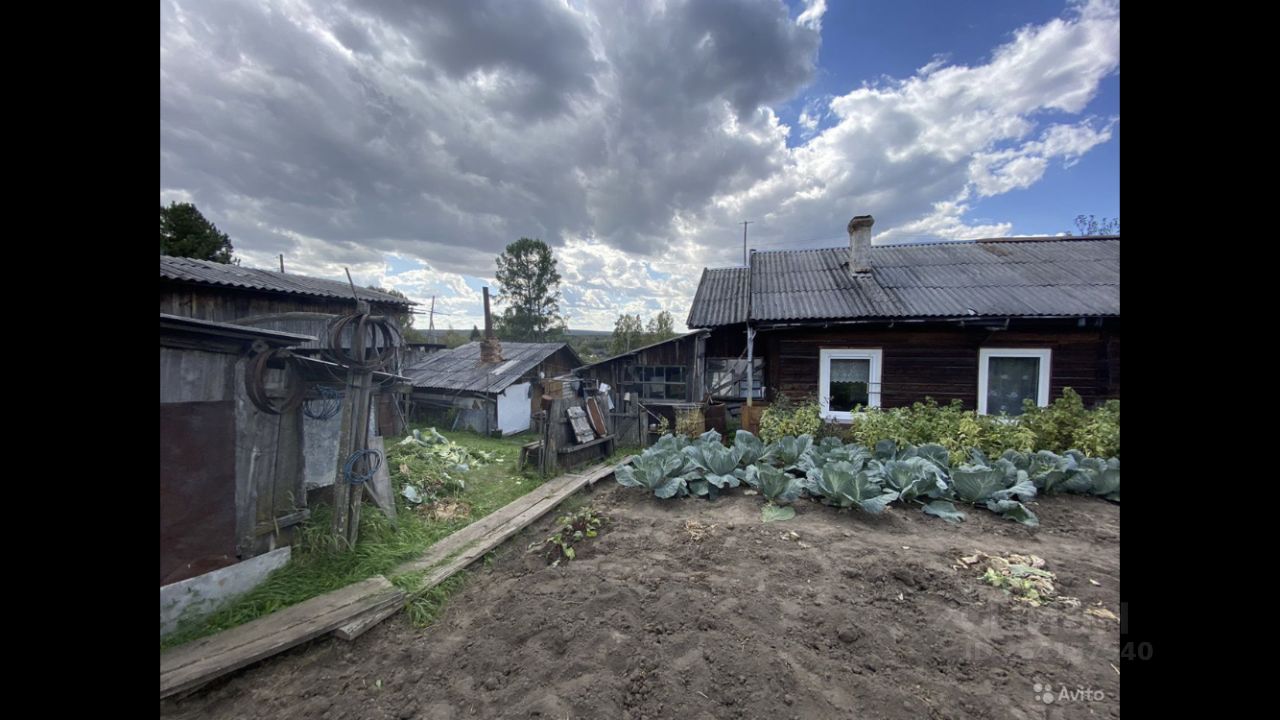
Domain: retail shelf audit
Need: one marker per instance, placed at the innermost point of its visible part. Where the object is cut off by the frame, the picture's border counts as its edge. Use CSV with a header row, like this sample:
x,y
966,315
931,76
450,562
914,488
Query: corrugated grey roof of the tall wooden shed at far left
x,y
207,272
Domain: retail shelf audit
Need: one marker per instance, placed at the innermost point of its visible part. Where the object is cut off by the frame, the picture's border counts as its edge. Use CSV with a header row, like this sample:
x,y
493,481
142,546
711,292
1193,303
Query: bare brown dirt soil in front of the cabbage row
x,y
862,617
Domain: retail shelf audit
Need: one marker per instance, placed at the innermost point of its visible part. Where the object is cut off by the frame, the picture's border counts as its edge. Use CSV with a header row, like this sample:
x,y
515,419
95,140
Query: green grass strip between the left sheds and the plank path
x,y
317,569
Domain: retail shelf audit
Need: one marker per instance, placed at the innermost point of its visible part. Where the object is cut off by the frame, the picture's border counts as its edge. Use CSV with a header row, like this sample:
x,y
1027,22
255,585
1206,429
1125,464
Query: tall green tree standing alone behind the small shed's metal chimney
x,y
529,286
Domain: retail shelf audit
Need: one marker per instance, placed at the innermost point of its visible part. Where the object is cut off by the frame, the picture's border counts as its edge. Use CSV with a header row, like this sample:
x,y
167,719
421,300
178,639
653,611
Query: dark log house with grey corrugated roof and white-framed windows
x,y
988,322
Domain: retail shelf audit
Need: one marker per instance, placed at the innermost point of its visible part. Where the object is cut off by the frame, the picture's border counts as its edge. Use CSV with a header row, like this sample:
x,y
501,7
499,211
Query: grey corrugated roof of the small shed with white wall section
x,y
461,370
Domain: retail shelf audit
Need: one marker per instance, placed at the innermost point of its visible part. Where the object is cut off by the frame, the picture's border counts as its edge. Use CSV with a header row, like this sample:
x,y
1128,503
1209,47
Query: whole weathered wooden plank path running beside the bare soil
x,y
355,609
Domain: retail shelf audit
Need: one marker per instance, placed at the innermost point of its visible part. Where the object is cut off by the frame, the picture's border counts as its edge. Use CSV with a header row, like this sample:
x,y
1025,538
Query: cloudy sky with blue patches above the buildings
x,y
413,142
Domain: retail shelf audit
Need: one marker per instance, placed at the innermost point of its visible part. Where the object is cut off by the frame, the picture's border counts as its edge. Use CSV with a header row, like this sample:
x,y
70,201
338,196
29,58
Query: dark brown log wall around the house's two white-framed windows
x,y
936,361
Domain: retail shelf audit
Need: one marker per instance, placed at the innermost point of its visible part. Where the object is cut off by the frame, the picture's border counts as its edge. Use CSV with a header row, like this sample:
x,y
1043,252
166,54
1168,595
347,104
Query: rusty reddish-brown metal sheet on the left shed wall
x,y
198,489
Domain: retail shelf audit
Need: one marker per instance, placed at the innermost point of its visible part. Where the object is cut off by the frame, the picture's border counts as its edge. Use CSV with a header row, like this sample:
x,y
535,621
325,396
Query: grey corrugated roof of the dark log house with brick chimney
x,y
1012,277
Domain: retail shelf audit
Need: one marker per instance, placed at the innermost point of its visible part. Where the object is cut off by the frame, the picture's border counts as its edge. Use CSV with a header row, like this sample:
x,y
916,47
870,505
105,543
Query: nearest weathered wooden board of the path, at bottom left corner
x,y
198,663
